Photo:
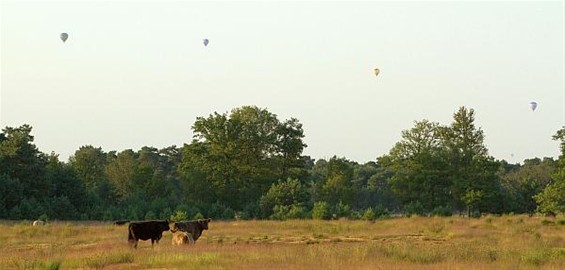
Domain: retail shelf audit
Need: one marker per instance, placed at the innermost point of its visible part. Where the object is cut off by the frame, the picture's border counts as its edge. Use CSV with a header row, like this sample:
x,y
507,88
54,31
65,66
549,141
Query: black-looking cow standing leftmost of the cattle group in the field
x,y
145,230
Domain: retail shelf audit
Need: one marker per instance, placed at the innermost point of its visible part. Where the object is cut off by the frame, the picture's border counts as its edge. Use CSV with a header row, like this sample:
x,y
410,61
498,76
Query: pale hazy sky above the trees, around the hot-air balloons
x,y
135,73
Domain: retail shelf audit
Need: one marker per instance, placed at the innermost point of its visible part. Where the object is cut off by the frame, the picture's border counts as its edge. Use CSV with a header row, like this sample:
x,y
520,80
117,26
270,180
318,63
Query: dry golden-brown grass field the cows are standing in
x,y
507,242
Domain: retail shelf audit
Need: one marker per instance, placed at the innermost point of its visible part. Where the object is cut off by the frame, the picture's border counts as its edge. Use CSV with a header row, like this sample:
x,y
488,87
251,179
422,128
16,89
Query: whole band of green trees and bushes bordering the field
x,y
249,164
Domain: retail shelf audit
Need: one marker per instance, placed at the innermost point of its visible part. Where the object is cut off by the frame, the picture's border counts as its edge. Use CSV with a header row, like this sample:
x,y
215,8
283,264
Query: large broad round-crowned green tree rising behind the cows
x,y
241,154
